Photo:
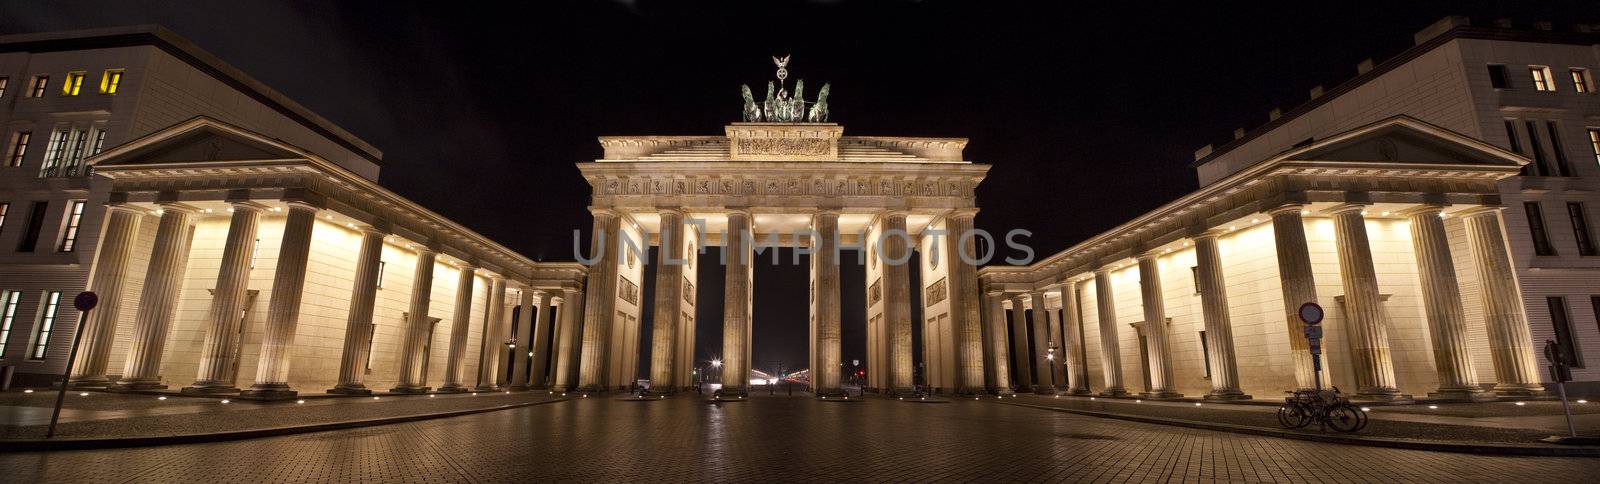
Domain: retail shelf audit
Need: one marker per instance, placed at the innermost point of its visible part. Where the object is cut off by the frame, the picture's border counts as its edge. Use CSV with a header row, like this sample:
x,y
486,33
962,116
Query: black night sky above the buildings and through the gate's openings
x,y
1089,115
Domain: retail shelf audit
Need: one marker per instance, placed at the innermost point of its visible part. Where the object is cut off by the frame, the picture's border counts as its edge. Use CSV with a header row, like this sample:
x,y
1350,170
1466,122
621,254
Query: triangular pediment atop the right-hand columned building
x,y
1406,142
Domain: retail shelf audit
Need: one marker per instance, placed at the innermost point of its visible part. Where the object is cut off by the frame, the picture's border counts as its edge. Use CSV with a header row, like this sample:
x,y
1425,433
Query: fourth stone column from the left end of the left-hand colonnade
x,y
289,286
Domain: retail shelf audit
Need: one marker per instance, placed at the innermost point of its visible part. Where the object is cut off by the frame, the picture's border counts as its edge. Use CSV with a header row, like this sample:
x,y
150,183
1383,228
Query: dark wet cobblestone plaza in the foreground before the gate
x,y
780,440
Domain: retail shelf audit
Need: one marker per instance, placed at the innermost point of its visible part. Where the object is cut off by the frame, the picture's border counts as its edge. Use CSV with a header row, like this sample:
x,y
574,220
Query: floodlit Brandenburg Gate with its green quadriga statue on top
x,y
785,177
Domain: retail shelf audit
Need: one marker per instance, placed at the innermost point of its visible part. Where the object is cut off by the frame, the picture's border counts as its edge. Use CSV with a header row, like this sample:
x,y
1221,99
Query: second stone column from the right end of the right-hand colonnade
x,y
1447,321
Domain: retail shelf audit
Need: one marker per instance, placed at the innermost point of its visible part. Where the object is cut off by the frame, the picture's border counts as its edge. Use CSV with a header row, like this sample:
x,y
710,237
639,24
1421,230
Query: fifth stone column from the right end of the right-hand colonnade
x,y
1218,323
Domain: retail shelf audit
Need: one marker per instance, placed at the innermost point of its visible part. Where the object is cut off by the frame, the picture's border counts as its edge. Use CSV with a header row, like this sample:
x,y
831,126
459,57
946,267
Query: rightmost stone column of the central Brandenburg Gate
x,y
966,313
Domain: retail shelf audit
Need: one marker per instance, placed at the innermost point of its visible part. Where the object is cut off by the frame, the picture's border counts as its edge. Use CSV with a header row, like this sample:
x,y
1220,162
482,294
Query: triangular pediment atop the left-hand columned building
x,y
198,142
